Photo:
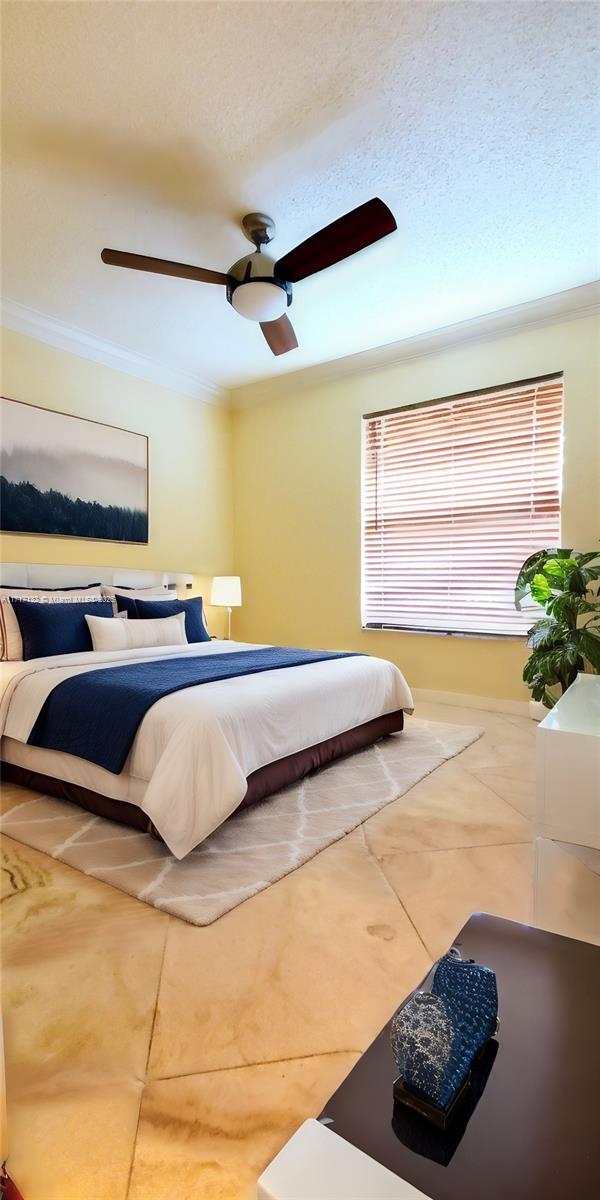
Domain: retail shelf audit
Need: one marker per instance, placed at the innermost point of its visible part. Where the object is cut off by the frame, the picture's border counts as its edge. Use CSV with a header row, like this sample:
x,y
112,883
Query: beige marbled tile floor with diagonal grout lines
x,y
153,1059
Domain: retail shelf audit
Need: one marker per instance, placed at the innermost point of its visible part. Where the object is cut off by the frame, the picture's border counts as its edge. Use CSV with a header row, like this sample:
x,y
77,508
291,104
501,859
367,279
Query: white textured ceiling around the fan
x,y
153,127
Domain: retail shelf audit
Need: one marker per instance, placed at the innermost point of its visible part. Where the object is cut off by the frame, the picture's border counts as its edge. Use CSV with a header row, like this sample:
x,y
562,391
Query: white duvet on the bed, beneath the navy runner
x,y
195,749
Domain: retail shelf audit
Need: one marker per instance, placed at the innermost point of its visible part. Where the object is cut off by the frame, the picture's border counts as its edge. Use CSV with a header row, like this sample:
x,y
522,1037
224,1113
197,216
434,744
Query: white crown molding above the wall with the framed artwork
x,y
63,337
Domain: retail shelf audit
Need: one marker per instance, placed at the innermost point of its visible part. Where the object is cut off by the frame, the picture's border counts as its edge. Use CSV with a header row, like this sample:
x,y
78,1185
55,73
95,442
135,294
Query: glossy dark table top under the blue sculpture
x,y
535,1132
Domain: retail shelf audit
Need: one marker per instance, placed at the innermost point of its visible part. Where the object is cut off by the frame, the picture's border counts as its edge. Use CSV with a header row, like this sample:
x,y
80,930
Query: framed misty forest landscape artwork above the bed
x,y
70,477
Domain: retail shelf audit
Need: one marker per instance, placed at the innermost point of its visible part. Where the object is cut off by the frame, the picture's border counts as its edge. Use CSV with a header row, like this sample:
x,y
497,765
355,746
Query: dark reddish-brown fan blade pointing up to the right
x,y
339,241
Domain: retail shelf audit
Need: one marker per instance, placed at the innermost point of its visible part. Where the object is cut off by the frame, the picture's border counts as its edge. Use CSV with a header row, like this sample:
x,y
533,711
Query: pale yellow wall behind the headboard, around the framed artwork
x,y
189,455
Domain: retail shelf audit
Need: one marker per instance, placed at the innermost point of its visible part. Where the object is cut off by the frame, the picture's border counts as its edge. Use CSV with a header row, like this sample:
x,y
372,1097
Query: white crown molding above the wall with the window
x,y
572,305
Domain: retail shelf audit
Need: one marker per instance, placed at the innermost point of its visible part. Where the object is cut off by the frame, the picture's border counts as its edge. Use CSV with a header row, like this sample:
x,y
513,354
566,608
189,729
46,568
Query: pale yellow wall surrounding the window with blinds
x,y
297,501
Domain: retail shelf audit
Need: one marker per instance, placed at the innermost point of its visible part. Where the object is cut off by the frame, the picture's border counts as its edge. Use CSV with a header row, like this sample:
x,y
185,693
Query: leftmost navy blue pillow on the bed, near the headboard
x,y
57,628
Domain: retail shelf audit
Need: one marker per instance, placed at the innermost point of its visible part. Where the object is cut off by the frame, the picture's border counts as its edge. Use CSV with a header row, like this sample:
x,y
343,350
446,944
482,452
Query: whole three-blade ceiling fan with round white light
x,y
261,289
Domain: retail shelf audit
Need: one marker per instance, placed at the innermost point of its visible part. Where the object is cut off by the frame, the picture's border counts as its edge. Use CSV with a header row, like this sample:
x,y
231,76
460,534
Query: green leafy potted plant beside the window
x,y
567,640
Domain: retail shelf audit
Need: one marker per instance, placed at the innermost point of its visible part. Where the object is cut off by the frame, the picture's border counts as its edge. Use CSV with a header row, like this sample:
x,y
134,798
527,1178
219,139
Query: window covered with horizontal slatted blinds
x,y
457,495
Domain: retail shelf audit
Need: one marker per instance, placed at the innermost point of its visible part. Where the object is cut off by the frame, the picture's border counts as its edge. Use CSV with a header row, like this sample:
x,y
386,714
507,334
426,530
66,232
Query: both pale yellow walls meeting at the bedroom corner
x,y
297,489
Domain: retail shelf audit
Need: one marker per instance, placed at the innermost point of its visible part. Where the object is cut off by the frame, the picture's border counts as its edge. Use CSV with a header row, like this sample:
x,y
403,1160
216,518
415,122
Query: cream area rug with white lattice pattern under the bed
x,y
254,849
